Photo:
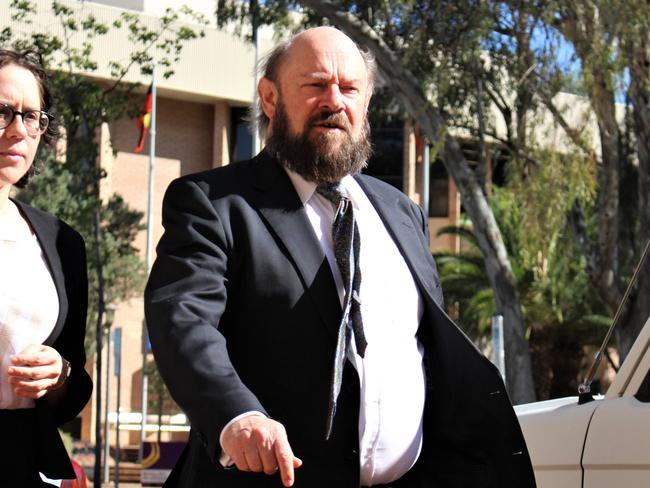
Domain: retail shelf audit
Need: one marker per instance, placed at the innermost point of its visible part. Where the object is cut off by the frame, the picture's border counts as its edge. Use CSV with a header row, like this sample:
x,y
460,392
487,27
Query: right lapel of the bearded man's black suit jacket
x,y
404,234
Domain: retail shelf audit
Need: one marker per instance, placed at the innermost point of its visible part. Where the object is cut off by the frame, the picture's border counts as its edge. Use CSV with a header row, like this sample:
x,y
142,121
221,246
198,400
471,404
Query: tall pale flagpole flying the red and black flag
x,y
152,158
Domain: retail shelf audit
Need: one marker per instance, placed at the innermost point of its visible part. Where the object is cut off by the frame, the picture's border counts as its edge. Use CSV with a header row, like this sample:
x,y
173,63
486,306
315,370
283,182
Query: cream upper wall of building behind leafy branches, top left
x,y
218,66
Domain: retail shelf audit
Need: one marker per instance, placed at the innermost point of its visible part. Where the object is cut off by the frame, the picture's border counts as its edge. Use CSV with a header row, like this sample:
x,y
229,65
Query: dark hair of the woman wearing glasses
x,y
31,63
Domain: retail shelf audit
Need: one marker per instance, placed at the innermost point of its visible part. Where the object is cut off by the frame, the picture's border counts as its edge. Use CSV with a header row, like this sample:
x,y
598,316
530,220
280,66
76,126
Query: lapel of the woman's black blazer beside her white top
x,y
46,234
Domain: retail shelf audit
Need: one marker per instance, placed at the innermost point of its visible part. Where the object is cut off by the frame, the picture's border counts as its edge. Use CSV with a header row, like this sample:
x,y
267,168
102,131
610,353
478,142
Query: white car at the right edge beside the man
x,y
599,443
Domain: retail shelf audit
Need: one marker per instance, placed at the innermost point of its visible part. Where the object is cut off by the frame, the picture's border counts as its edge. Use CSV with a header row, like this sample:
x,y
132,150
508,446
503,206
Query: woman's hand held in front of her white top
x,y
35,371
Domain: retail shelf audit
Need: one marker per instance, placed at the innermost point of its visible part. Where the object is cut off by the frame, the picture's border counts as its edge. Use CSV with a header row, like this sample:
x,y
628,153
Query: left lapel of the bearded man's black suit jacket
x,y
279,204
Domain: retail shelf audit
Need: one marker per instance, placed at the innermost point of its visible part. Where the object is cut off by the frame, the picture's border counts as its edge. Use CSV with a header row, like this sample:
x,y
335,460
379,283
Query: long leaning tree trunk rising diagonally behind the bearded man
x,y
499,271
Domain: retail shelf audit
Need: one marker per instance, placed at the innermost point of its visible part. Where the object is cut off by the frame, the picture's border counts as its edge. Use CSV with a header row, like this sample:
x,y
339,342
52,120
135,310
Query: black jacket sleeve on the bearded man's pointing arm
x,y
185,301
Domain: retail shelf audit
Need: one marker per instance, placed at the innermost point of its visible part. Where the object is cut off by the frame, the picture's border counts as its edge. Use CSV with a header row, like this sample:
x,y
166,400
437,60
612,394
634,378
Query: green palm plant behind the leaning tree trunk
x,y
561,312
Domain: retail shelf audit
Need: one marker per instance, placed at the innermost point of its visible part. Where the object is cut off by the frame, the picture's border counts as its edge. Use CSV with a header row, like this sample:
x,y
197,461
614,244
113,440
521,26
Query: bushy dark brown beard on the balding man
x,y
312,158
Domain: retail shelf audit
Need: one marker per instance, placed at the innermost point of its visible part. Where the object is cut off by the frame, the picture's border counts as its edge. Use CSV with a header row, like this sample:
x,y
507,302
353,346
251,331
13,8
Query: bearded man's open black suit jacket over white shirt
x,y
242,311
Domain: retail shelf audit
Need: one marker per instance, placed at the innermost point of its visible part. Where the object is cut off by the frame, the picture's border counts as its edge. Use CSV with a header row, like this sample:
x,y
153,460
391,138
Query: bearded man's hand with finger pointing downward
x,y
257,444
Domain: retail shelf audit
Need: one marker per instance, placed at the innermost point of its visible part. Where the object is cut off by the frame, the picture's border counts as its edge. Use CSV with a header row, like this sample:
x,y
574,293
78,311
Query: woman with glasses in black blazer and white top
x,y
43,293
